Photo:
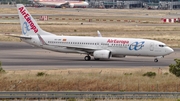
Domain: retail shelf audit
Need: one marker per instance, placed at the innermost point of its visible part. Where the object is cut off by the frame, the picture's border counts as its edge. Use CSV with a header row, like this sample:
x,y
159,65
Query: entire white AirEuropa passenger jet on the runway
x,y
97,47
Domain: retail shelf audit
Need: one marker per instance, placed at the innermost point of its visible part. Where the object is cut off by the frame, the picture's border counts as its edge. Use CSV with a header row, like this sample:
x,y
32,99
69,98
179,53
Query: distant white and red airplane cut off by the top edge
x,y
63,3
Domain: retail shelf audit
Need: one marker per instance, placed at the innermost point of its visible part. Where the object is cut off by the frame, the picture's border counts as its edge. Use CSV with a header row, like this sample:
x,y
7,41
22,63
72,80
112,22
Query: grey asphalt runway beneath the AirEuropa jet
x,y
21,56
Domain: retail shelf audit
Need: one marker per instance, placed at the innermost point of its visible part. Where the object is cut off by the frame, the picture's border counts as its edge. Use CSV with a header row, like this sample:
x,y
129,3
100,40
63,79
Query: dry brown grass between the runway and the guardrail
x,y
89,80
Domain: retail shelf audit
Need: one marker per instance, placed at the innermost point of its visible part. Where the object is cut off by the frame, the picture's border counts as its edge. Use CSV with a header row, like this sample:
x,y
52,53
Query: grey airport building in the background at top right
x,y
130,4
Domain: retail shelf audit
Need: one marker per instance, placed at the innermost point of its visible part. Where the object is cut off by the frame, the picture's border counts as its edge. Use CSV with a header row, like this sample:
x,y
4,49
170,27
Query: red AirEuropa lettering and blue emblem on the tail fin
x,y
28,22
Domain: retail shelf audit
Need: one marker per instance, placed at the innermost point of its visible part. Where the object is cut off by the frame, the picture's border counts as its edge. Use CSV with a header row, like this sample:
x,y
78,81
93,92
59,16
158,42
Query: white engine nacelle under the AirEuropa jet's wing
x,y
102,54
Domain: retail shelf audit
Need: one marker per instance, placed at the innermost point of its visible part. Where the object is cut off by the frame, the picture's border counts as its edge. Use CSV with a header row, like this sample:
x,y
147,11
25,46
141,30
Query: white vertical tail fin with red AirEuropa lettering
x,y
28,24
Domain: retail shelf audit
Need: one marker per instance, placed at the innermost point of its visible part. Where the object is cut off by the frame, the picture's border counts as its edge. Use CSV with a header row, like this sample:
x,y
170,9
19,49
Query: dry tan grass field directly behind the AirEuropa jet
x,y
169,35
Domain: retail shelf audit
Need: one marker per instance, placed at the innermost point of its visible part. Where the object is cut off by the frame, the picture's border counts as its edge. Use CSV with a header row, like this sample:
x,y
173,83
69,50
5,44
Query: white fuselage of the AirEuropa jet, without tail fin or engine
x,y
118,46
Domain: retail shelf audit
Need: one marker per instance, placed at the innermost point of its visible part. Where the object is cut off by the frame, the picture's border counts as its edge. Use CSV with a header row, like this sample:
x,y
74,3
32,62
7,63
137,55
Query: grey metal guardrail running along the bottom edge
x,y
89,95
